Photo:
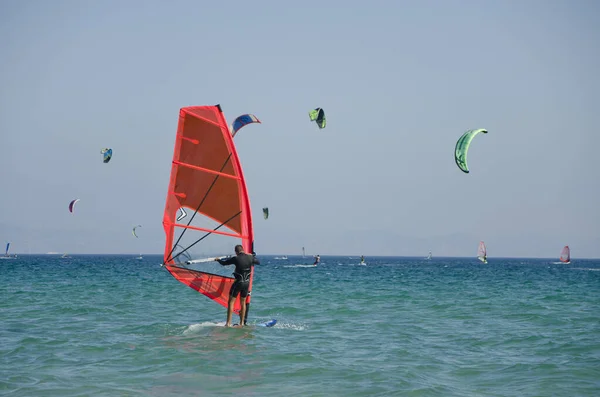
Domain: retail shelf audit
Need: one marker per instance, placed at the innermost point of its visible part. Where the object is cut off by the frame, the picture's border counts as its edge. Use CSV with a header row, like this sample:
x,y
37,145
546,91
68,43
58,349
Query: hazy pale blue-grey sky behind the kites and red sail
x,y
400,82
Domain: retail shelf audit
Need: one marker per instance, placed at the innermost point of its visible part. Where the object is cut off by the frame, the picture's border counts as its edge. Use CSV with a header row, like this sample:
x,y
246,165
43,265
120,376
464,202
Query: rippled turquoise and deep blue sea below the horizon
x,y
116,326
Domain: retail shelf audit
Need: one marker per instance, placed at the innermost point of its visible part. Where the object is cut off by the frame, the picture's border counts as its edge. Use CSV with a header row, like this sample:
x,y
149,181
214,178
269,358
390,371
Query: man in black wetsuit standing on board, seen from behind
x,y
243,266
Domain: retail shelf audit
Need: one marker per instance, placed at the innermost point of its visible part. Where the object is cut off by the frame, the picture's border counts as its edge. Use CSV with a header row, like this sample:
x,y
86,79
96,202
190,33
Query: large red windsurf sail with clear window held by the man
x,y
207,210
